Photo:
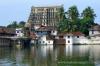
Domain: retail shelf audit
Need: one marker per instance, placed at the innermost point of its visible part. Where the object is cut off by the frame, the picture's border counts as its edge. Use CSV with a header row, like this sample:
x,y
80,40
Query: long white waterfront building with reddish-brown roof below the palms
x,y
73,38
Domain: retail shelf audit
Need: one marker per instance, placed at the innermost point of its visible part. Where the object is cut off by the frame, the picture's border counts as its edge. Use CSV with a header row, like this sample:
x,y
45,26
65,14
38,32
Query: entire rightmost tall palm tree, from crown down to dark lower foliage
x,y
88,17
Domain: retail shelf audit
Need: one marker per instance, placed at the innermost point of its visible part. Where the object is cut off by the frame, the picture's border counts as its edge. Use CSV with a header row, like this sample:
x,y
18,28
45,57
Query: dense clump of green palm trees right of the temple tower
x,y
74,21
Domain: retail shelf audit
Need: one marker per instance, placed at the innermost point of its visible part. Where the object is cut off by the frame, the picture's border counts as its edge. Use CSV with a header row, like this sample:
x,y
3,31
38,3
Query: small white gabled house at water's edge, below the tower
x,y
44,40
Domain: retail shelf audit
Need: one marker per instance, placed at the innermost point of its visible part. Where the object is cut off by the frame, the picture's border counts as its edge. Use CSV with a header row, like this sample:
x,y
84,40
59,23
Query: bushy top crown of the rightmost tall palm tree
x,y
88,16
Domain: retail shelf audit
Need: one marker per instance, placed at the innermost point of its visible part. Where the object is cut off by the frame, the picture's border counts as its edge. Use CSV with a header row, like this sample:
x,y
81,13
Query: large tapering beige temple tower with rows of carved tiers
x,y
46,15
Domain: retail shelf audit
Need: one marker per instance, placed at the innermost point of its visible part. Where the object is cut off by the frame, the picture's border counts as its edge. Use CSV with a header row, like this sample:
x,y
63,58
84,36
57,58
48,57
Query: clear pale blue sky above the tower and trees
x,y
19,10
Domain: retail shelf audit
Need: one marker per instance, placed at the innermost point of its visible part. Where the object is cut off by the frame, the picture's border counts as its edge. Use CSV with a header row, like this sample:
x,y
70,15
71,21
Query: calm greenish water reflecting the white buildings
x,y
49,55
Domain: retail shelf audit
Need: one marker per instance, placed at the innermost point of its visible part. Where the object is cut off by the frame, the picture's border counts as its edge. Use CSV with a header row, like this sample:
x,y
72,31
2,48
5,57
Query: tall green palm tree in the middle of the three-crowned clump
x,y
73,17
